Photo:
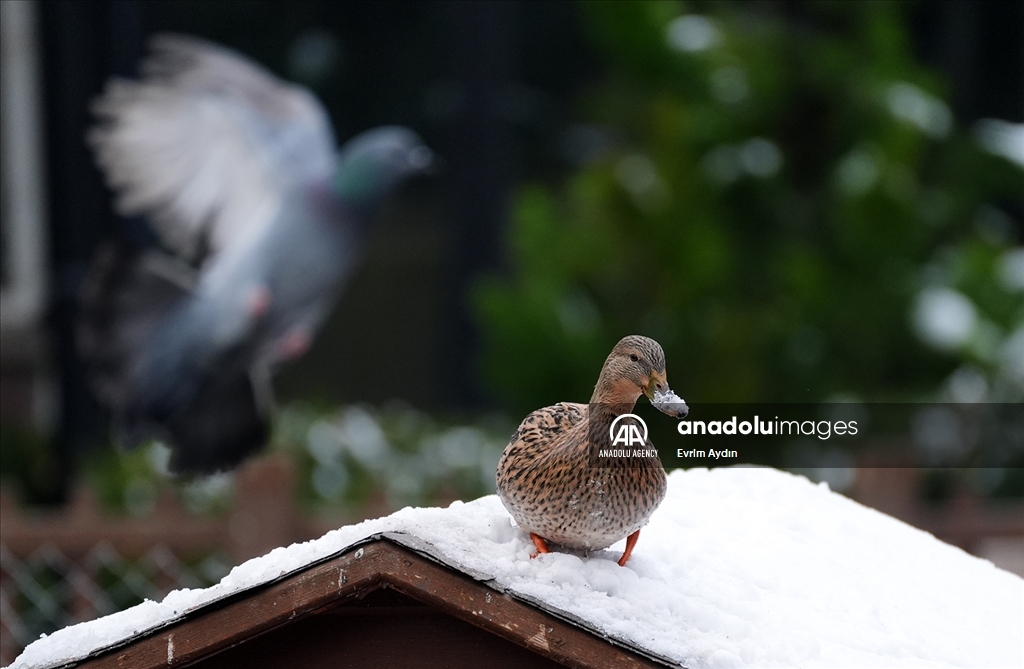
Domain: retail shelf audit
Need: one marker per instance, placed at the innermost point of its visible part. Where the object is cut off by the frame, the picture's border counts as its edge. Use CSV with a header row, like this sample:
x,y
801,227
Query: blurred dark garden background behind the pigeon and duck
x,y
802,201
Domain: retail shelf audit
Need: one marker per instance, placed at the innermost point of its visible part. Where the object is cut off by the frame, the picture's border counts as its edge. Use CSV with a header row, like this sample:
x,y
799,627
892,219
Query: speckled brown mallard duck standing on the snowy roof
x,y
551,482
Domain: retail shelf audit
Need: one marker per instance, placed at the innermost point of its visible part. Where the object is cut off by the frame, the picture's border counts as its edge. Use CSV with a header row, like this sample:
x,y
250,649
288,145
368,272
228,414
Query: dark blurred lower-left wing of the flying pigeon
x,y
125,298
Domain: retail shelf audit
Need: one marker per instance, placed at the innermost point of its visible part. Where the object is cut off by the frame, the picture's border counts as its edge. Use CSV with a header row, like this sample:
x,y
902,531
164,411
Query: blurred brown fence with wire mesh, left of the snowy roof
x,y
67,567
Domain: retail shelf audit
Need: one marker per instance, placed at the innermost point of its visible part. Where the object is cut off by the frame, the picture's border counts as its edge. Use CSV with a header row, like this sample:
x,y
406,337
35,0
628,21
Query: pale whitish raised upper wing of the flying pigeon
x,y
207,144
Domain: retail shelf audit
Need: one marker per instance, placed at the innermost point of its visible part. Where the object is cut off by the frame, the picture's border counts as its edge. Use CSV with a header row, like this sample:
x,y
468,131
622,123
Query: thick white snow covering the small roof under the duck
x,y
740,567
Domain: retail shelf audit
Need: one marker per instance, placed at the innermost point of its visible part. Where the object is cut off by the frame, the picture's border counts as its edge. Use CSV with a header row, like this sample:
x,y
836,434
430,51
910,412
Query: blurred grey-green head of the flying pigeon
x,y
376,161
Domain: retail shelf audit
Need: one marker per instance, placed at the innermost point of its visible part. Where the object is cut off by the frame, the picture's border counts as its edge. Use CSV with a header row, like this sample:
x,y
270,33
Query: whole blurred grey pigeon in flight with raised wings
x,y
239,175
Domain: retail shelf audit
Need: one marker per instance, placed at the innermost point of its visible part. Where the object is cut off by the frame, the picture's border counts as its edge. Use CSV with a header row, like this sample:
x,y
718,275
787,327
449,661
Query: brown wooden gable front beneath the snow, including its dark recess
x,y
386,602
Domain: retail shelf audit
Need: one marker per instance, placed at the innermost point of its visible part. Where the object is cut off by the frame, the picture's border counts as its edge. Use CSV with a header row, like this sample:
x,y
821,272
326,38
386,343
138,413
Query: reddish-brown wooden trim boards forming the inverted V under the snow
x,y
348,577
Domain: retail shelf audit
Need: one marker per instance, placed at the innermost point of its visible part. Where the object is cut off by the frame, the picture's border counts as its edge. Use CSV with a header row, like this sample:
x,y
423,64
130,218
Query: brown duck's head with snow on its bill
x,y
635,367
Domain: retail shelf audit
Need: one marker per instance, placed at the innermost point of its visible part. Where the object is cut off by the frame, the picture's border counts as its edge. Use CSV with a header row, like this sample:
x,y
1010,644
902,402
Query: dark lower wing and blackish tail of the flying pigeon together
x,y
126,301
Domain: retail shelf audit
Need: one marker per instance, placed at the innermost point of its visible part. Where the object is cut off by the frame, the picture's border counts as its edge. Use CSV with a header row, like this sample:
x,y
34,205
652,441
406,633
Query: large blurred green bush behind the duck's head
x,y
771,197
